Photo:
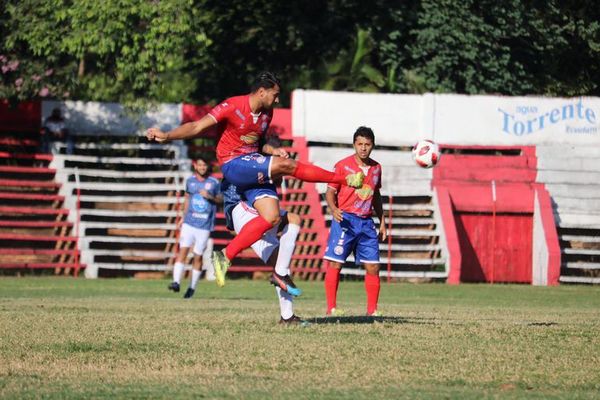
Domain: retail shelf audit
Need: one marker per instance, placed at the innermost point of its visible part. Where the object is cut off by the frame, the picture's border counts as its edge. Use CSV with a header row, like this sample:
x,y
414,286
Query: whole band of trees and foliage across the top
x,y
205,50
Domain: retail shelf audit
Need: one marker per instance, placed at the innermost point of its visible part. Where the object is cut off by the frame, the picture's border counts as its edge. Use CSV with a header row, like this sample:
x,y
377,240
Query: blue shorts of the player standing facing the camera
x,y
353,234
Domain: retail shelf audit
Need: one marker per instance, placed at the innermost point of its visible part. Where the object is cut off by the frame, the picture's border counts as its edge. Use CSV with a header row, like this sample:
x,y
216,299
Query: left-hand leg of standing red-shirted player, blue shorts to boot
x,y
339,245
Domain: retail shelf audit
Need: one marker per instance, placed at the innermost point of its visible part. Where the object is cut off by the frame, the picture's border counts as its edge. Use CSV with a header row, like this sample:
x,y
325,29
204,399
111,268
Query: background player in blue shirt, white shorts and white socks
x,y
202,194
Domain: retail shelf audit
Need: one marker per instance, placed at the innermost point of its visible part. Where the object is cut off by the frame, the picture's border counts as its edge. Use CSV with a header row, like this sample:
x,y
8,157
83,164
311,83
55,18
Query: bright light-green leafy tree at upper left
x,y
112,50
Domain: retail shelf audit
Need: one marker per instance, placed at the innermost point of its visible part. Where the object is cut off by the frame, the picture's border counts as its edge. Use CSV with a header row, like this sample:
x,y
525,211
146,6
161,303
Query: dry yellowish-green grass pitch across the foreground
x,y
73,338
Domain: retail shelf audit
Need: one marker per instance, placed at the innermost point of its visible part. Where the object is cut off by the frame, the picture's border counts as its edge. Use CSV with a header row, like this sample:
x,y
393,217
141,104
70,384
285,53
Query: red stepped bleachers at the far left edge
x,y
34,229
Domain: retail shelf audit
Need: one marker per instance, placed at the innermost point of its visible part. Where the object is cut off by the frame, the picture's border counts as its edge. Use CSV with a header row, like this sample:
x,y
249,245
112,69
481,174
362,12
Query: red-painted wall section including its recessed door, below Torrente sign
x,y
503,253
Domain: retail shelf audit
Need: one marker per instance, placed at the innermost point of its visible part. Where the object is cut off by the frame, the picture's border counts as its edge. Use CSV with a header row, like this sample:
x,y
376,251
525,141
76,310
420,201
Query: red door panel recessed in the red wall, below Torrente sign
x,y
495,255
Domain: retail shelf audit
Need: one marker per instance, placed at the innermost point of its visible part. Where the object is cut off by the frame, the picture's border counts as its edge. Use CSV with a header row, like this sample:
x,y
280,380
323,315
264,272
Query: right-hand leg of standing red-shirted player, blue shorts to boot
x,y
367,253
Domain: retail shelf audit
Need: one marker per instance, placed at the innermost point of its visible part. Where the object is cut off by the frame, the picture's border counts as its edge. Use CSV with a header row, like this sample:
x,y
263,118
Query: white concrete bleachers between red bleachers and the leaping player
x,y
129,192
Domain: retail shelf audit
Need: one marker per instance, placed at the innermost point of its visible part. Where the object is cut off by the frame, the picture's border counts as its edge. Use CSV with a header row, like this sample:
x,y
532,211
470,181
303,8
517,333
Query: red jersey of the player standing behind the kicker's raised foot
x,y
357,201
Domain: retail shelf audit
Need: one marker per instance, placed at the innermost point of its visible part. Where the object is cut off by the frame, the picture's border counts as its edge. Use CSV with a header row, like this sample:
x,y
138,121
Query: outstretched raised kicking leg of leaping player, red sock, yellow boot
x,y
311,173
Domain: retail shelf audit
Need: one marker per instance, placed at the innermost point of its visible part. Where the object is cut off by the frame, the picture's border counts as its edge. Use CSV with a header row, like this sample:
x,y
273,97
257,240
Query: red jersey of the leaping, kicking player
x,y
240,130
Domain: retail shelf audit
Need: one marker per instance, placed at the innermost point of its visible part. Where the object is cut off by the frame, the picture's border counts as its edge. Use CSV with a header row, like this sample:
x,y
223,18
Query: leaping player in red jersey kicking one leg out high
x,y
243,121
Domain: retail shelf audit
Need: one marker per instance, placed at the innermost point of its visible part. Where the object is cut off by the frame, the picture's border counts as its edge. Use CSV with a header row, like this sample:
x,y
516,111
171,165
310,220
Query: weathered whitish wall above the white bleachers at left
x,y
92,118
